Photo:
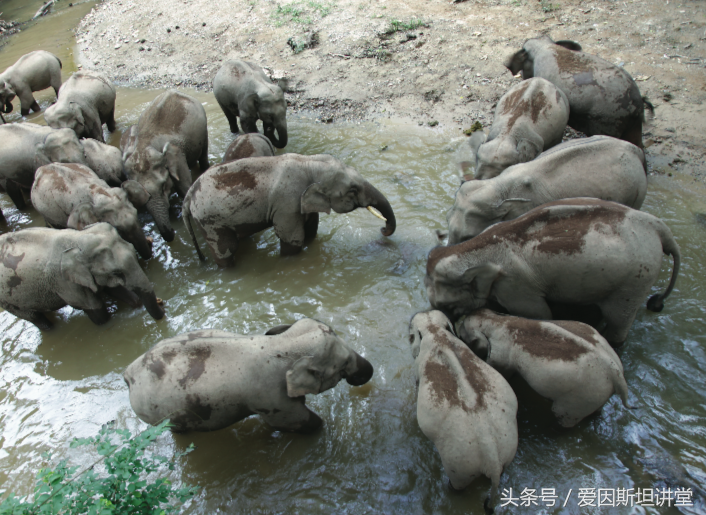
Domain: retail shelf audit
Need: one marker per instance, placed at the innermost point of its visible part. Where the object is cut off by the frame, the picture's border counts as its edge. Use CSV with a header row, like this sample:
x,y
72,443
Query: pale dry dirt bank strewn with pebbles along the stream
x,y
427,61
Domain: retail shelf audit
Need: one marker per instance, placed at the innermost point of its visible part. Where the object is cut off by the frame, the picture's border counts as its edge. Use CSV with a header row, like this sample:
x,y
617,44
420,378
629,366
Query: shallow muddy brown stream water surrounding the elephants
x,y
370,456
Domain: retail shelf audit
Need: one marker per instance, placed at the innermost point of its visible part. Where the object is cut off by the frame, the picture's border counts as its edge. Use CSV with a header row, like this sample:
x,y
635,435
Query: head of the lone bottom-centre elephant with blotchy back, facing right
x,y
326,360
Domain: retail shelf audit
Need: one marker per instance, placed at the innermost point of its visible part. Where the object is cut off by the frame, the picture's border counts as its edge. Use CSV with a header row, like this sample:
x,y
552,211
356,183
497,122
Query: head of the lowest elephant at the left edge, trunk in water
x,y
101,259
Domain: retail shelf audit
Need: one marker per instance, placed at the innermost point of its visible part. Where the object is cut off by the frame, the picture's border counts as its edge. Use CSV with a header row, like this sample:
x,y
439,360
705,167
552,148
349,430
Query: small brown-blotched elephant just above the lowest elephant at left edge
x,y
71,195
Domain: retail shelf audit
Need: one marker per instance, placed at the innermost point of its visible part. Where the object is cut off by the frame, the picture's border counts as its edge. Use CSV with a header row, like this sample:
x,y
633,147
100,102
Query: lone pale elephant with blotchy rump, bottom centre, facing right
x,y
209,380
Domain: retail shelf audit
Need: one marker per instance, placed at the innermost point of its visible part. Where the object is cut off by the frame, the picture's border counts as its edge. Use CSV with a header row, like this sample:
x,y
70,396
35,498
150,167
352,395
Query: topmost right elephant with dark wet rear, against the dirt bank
x,y
603,98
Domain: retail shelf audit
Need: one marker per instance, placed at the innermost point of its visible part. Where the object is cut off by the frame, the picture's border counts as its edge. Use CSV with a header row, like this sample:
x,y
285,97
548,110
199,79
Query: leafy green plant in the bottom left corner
x,y
122,489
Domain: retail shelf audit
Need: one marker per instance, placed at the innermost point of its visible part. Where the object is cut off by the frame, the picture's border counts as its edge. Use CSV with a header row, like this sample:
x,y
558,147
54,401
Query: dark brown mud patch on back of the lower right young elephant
x,y
543,342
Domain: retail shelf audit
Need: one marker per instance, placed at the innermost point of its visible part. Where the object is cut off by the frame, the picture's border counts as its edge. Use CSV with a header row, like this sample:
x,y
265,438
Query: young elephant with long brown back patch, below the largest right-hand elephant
x,y
567,362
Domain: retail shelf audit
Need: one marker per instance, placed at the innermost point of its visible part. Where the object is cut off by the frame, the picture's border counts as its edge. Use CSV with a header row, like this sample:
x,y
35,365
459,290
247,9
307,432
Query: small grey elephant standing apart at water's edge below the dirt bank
x,y
242,89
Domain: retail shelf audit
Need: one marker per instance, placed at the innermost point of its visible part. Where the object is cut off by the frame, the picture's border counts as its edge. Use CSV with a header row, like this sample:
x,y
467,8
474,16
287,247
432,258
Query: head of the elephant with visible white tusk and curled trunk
x,y
341,188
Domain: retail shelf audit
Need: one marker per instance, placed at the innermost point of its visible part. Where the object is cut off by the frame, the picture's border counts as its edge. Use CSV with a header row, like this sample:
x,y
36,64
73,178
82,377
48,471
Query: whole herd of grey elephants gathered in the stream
x,y
540,224
